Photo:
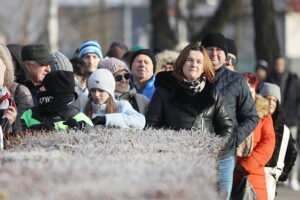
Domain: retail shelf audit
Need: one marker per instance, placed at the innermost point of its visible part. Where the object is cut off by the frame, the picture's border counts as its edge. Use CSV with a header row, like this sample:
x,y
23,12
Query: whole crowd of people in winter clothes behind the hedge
x,y
197,88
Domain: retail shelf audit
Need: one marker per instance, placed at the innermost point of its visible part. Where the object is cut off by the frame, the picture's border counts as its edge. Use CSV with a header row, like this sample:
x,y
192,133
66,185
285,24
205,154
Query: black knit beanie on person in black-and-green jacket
x,y
59,82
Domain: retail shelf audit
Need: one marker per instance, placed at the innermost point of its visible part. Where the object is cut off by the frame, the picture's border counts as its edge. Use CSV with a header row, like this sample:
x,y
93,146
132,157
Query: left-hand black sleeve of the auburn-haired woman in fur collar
x,y
155,112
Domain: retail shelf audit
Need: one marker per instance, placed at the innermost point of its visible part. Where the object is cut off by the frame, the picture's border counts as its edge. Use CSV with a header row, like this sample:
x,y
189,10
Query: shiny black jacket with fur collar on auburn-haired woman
x,y
174,107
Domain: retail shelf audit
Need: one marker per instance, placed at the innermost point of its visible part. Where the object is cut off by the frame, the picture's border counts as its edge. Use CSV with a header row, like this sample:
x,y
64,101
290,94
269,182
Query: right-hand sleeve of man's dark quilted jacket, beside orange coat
x,y
246,114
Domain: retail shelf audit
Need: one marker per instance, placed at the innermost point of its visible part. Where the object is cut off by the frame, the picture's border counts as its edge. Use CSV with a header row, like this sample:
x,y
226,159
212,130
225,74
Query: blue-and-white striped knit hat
x,y
90,46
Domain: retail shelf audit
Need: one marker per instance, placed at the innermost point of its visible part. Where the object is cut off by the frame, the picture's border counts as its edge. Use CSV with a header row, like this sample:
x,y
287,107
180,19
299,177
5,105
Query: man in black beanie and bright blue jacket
x,y
142,65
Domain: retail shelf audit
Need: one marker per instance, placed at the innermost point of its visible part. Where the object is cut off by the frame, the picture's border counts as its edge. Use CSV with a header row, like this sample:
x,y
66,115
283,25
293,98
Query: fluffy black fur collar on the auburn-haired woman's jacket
x,y
200,101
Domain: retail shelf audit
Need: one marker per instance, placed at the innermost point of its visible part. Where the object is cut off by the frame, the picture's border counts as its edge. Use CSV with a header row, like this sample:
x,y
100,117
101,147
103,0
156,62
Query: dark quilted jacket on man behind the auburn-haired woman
x,y
239,104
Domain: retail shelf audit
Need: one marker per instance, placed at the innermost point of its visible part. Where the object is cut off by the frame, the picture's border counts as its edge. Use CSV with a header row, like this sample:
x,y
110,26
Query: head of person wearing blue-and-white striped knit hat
x,y
90,52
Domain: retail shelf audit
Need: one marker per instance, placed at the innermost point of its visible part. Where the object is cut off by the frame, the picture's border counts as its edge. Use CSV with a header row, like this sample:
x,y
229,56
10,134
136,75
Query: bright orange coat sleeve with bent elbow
x,y
264,148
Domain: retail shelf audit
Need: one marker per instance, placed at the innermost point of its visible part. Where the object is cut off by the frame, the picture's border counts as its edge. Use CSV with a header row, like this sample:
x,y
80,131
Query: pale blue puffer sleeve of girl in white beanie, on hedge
x,y
127,118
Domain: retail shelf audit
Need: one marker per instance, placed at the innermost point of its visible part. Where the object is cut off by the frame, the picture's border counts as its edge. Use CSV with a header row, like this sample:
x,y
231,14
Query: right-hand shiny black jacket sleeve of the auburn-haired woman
x,y
222,122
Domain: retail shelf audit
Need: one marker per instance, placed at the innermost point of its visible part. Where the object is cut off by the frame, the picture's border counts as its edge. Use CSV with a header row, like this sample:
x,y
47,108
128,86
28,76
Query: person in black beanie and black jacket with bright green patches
x,y
58,107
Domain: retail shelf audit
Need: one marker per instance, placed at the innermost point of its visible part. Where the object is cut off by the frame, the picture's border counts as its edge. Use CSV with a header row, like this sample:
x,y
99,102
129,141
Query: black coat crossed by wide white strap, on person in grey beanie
x,y
291,153
